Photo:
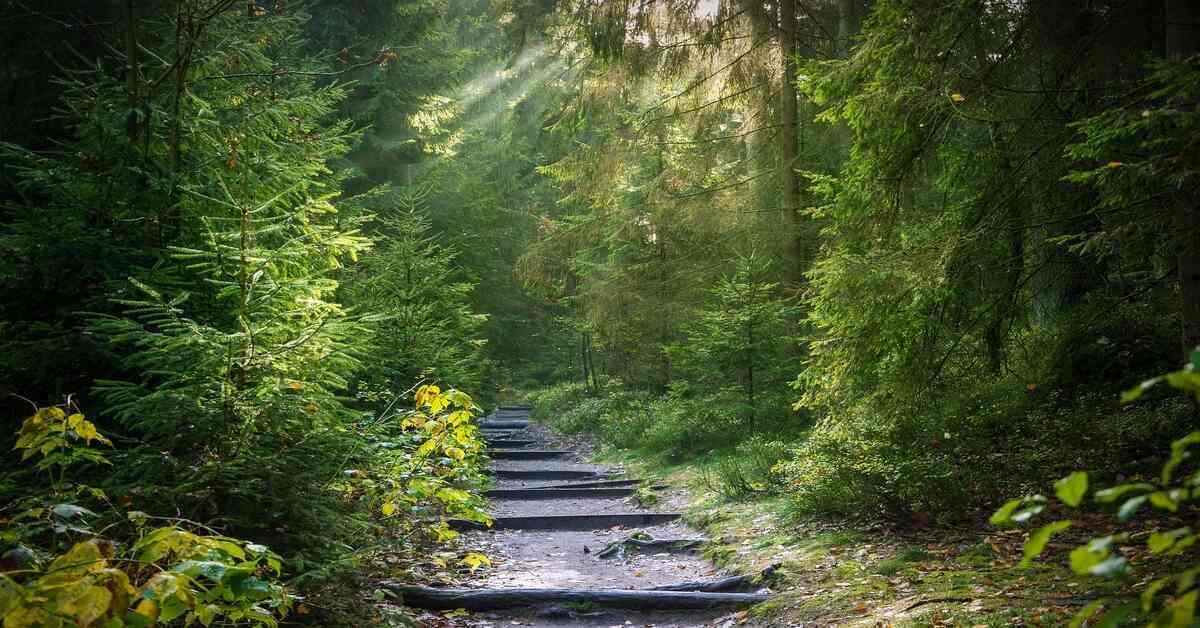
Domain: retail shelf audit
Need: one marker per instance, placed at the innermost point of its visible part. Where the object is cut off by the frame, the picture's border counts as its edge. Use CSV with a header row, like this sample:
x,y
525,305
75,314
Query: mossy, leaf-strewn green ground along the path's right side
x,y
856,573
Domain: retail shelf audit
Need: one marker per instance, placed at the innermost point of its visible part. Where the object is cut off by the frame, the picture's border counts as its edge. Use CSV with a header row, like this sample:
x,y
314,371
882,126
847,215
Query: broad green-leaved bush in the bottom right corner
x,y
1167,601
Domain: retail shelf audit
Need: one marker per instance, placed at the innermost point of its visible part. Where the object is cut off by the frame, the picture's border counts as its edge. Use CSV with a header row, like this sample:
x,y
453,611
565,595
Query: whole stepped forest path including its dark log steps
x,y
555,515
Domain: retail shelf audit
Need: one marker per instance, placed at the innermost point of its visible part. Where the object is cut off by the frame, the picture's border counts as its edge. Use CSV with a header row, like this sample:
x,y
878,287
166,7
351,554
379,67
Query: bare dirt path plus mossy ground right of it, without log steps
x,y
833,573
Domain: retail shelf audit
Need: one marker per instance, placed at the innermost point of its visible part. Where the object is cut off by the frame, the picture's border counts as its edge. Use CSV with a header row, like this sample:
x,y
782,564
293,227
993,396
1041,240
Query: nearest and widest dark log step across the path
x,y
484,600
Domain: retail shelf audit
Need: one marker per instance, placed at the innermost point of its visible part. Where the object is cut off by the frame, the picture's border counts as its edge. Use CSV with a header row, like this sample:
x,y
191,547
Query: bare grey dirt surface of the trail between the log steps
x,y
568,559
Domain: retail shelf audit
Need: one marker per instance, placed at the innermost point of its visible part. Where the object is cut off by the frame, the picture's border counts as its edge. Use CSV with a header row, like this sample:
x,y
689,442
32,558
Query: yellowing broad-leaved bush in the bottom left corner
x,y
58,571
